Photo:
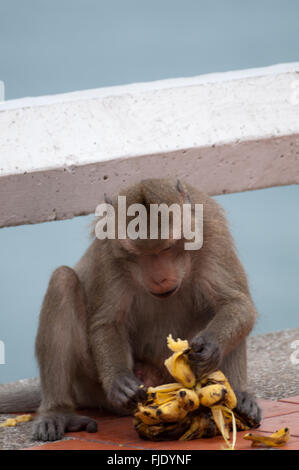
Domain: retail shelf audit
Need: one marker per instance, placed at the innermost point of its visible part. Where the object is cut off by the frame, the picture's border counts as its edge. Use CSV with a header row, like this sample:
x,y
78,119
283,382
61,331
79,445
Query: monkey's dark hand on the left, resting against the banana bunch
x,y
126,390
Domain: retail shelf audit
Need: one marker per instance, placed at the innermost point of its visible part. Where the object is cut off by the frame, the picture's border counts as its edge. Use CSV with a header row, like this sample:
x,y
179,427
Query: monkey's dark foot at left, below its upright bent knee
x,y
52,427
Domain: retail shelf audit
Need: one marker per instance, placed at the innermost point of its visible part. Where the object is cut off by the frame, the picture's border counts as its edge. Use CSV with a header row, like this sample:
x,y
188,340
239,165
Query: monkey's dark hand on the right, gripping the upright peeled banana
x,y
204,357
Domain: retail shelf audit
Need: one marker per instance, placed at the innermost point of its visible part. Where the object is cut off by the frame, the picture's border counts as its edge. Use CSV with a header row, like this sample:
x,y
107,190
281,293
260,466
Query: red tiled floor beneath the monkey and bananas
x,y
115,433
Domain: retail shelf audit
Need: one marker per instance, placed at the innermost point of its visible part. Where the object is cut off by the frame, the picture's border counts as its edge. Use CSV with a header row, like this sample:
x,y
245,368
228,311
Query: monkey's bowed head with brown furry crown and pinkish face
x,y
158,264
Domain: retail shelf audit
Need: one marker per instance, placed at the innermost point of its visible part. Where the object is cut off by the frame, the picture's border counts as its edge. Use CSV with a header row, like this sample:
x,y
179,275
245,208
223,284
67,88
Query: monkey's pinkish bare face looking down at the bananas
x,y
159,268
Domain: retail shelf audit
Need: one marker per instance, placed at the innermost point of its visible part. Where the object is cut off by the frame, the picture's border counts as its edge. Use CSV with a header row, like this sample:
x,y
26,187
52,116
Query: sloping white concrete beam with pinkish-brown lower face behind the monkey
x,y
223,132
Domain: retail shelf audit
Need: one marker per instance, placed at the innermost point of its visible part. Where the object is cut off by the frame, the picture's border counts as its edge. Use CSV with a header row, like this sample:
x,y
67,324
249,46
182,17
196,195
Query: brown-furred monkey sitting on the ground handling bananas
x,y
103,324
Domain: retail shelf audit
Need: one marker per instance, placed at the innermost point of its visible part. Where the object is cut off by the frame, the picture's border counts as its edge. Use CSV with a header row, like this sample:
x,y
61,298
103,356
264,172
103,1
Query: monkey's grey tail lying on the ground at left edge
x,y
21,396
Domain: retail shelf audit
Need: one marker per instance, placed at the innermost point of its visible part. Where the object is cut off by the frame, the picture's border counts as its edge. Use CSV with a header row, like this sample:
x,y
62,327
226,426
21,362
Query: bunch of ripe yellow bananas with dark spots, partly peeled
x,y
188,409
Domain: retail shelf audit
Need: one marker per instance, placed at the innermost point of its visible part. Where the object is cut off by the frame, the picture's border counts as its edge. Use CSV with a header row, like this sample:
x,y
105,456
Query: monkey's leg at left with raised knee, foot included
x,y
61,349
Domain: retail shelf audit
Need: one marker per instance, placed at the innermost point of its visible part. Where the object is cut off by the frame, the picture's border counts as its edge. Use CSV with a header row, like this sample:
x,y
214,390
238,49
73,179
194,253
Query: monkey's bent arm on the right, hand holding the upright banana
x,y
232,316
